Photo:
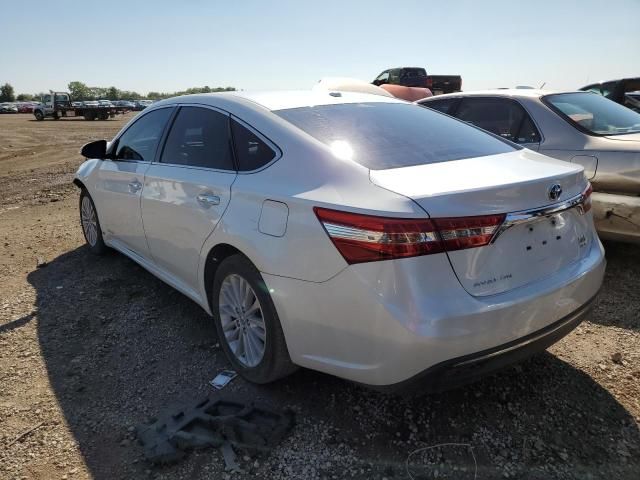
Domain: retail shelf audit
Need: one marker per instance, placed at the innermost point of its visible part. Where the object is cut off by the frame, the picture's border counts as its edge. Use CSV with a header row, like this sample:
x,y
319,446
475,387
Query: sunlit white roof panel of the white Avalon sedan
x,y
280,100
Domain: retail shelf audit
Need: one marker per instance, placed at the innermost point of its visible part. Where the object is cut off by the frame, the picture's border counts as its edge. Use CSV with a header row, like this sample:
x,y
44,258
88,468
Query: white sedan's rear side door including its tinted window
x,y
188,190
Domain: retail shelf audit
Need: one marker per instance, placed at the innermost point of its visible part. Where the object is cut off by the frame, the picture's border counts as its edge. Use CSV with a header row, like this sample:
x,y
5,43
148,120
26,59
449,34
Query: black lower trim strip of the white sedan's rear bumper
x,y
469,368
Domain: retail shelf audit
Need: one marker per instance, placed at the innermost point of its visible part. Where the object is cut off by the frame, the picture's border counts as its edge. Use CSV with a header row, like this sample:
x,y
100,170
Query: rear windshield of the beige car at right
x,y
594,113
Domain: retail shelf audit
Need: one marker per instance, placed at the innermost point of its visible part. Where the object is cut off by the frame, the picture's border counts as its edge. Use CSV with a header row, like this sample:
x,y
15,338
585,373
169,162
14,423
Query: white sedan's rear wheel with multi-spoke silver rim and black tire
x,y
247,323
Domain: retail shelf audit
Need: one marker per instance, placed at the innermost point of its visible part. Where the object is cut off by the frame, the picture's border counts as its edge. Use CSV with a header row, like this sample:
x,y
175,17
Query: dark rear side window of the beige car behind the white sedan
x,y
501,116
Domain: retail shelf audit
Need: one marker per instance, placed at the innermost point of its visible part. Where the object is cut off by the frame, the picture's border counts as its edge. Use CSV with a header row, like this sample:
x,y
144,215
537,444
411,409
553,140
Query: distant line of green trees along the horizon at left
x,y
80,91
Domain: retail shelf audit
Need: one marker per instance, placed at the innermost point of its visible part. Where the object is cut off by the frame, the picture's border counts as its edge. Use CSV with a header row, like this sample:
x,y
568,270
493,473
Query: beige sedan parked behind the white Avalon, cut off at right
x,y
579,127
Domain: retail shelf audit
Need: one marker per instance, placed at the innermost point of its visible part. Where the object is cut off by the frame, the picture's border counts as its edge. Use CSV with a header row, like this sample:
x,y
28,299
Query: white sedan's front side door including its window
x,y
121,180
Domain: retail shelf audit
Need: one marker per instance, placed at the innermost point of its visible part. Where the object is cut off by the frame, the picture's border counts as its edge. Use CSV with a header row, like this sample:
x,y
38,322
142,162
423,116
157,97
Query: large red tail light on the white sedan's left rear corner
x,y
367,238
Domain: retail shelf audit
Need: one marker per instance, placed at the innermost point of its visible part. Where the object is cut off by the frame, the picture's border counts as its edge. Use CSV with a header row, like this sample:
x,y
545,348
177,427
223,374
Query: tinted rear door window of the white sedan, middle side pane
x,y
199,137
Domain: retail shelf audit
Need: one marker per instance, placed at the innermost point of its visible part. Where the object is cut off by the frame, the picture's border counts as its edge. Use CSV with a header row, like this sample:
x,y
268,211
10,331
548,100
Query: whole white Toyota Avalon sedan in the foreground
x,y
354,234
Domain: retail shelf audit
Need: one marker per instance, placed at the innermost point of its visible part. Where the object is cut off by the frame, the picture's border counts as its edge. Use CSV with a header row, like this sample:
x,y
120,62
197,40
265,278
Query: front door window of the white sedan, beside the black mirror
x,y
141,139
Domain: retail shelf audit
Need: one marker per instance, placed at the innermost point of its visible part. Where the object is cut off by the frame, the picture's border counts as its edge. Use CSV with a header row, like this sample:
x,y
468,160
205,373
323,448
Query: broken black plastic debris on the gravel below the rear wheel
x,y
214,423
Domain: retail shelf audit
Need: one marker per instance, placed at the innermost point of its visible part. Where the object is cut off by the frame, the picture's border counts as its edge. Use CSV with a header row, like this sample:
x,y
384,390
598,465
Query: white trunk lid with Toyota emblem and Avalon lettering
x,y
513,183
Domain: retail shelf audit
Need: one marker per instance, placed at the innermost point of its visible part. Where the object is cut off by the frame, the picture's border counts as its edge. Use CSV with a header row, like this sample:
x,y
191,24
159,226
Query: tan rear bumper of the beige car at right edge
x,y
617,217
